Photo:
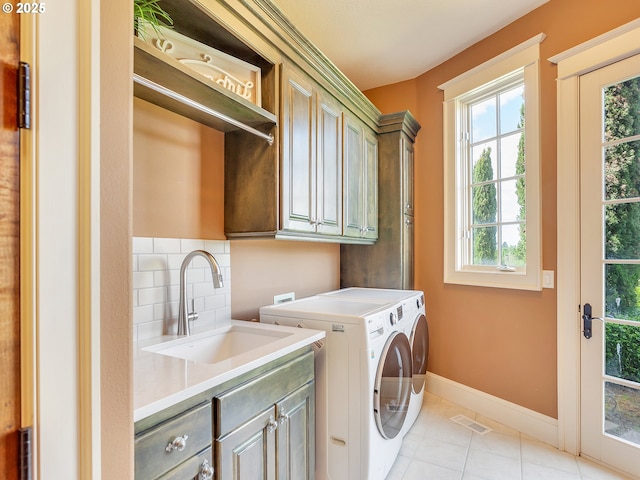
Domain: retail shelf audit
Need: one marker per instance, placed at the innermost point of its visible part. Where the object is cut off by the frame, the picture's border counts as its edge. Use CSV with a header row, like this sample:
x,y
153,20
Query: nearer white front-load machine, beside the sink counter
x,y
363,383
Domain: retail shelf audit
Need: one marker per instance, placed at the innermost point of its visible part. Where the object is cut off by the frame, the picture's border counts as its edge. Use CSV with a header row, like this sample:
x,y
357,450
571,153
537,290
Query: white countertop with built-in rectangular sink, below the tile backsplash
x,y
180,367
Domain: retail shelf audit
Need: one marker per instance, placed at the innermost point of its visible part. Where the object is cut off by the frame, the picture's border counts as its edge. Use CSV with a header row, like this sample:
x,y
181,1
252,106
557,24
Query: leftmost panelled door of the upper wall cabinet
x,y
298,123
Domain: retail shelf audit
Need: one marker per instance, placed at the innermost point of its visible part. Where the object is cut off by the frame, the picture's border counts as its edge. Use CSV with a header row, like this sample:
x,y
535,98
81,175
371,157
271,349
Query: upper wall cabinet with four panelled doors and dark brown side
x,y
327,172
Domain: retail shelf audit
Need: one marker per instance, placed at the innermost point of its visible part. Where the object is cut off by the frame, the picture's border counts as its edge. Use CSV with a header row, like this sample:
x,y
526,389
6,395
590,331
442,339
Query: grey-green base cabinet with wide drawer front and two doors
x,y
266,429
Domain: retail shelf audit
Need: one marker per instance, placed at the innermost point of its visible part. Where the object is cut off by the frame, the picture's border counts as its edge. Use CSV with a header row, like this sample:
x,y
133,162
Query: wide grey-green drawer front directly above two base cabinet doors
x,y
240,404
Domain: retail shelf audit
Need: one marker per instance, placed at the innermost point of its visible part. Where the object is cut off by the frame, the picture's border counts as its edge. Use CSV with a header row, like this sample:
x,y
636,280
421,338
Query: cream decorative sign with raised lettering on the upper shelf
x,y
229,72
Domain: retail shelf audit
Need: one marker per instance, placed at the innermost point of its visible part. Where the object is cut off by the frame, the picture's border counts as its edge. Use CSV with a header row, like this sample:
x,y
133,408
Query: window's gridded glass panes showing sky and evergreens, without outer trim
x,y
498,200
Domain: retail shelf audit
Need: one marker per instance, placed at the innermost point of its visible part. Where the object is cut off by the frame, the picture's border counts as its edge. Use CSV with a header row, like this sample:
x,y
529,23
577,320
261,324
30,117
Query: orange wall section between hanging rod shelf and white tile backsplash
x,y
178,176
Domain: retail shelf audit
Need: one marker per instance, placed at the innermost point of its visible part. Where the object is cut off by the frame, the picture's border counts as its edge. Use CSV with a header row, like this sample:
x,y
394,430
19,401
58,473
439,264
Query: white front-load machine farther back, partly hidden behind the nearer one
x,y
410,307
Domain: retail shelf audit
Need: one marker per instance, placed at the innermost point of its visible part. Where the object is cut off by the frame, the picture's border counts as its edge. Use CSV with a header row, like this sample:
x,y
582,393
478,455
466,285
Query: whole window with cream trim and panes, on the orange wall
x,y
492,178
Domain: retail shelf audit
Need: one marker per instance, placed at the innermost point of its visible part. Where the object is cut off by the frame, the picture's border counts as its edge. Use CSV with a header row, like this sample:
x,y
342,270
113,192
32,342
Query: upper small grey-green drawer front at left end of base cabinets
x,y
151,456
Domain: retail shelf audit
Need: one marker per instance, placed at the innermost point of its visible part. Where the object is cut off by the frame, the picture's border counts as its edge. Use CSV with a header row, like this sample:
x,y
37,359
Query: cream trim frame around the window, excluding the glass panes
x,y
525,58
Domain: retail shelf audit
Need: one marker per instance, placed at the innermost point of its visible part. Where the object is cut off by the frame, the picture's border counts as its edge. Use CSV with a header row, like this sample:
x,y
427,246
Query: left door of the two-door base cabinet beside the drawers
x,y
248,453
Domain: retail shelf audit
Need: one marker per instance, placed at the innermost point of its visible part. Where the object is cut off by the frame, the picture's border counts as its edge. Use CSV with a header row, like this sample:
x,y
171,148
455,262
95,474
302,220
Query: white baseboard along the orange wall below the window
x,y
541,427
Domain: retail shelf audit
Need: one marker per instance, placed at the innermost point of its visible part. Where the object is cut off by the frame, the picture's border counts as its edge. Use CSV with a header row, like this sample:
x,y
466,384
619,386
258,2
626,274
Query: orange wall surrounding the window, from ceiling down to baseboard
x,y
502,342
